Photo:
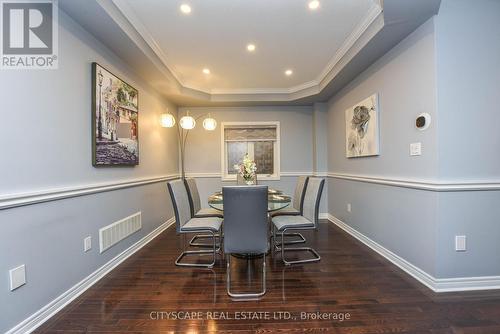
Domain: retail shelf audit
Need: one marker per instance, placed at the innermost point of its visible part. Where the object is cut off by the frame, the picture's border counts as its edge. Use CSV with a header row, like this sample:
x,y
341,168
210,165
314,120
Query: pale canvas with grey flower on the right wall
x,y
362,131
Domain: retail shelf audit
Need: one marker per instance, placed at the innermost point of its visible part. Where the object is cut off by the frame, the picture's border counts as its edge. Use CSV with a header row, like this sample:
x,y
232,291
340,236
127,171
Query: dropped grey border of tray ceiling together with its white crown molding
x,y
114,24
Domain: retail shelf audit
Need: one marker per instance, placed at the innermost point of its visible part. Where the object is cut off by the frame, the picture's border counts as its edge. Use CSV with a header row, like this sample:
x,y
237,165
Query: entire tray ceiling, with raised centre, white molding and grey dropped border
x,y
325,48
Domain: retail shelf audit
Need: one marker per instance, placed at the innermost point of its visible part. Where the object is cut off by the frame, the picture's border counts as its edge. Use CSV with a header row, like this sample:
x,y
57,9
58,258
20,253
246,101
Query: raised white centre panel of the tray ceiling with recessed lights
x,y
215,34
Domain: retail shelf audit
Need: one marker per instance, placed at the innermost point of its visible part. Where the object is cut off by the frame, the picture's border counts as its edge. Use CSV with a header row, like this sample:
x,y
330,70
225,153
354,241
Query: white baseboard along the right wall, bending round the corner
x,y
435,284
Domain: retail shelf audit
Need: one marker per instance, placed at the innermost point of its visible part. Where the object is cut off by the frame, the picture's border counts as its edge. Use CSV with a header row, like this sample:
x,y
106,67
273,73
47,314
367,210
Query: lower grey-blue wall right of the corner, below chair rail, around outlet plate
x,y
475,215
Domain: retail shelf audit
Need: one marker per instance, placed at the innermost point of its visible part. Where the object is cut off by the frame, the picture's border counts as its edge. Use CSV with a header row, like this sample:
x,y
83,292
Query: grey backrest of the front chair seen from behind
x,y
246,226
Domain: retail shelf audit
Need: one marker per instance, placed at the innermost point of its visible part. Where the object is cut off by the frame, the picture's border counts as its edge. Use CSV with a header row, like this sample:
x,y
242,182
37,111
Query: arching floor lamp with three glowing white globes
x,y
185,124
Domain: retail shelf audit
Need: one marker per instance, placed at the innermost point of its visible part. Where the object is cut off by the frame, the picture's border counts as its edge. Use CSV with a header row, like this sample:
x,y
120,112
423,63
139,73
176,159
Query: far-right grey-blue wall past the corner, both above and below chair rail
x,y
468,85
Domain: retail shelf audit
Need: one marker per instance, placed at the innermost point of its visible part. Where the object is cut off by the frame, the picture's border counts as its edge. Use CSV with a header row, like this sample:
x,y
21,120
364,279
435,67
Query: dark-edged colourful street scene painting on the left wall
x,y
115,120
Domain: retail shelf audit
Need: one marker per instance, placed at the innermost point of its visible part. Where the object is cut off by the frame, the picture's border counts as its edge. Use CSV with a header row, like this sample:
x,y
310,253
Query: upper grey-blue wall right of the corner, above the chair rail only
x,y
468,79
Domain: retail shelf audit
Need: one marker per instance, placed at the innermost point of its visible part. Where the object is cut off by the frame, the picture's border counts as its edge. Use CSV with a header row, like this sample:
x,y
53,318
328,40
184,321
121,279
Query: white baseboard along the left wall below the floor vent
x,y
39,317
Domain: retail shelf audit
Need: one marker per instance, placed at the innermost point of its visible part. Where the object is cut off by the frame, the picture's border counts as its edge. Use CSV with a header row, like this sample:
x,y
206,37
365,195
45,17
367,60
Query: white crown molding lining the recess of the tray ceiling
x,y
149,45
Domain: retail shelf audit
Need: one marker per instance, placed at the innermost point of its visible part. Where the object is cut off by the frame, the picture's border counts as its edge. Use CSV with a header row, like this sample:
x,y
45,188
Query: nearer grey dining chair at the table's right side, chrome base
x,y
307,221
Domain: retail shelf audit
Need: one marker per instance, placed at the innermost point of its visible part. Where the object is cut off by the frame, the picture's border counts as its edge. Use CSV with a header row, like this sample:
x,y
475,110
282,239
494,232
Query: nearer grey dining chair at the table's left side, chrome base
x,y
185,223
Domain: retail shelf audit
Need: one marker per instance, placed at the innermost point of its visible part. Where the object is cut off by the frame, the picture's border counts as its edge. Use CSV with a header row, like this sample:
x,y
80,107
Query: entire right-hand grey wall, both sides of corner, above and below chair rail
x,y
449,67
